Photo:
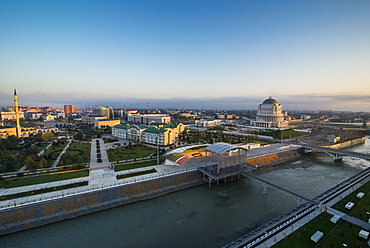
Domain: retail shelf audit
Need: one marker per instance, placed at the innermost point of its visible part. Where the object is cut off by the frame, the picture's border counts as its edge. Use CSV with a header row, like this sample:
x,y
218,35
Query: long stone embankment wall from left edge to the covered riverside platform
x,y
42,213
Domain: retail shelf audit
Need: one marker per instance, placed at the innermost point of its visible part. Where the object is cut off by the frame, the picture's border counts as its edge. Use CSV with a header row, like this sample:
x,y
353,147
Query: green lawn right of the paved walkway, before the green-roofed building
x,y
124,153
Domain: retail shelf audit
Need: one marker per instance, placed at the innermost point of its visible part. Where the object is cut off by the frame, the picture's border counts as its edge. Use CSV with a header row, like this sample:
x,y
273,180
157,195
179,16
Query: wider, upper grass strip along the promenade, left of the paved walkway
x,y
52,177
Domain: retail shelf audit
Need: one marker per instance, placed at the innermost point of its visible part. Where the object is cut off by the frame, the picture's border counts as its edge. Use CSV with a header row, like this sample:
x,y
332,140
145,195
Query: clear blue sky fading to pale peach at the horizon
x,y
224,54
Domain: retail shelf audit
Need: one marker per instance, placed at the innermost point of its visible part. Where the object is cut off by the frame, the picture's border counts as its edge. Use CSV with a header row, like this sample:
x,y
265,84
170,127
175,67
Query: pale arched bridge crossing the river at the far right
x,y
337,154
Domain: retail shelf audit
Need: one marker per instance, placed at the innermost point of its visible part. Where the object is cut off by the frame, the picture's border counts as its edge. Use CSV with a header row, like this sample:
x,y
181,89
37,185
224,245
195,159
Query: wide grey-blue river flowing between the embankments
x,y
196,217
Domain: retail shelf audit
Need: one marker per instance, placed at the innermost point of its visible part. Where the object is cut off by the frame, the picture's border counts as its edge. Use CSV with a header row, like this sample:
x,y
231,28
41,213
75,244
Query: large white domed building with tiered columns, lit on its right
x,y
270,115
